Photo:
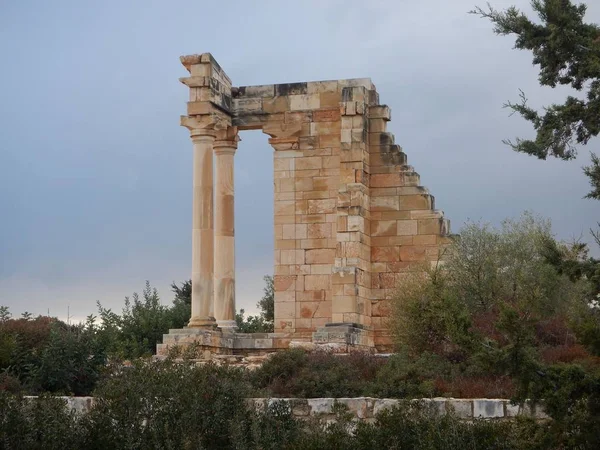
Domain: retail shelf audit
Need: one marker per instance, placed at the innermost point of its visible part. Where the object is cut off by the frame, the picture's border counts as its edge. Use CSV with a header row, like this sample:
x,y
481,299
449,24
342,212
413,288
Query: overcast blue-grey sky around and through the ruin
x,y
95,172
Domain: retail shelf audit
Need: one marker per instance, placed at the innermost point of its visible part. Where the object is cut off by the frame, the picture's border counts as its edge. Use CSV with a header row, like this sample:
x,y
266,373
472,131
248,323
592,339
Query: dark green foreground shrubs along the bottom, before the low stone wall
x,y
161,405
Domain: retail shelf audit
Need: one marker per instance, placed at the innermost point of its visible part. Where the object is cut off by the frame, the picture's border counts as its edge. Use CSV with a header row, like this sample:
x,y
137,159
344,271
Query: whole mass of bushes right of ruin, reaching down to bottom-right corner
x,y
515,304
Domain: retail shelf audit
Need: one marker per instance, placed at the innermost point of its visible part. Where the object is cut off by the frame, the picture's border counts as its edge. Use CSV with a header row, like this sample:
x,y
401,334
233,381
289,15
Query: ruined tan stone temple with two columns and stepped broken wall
x,y
350,214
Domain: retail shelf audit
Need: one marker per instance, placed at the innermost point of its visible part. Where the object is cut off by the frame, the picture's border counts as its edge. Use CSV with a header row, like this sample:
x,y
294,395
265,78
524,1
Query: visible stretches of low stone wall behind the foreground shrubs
x,y
366,408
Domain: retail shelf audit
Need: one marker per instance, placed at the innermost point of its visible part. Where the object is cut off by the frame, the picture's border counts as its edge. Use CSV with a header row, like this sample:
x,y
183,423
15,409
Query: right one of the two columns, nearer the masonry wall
x,y
224,280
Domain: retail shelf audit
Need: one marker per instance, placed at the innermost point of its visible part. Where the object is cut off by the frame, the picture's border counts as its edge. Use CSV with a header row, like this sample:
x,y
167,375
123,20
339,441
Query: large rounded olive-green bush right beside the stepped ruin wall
x,y
495,306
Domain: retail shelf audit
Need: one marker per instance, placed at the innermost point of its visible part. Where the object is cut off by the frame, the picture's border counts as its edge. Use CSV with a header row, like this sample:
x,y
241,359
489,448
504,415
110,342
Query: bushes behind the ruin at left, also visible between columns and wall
x,y
44,354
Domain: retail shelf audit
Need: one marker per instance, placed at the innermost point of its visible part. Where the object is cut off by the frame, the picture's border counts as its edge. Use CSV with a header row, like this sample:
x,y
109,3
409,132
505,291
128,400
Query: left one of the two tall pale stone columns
x,y
202,230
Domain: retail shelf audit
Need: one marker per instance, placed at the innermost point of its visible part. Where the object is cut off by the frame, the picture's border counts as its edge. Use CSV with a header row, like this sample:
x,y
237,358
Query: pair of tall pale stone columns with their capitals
x,y
213,245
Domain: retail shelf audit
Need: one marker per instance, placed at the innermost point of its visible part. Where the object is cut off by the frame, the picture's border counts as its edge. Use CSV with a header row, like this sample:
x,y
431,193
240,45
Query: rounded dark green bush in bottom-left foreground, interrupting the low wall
x,y
165,405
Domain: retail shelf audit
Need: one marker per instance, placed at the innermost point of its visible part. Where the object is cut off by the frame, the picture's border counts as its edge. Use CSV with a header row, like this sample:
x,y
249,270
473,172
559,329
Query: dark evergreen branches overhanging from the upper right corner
x,y
567,51
